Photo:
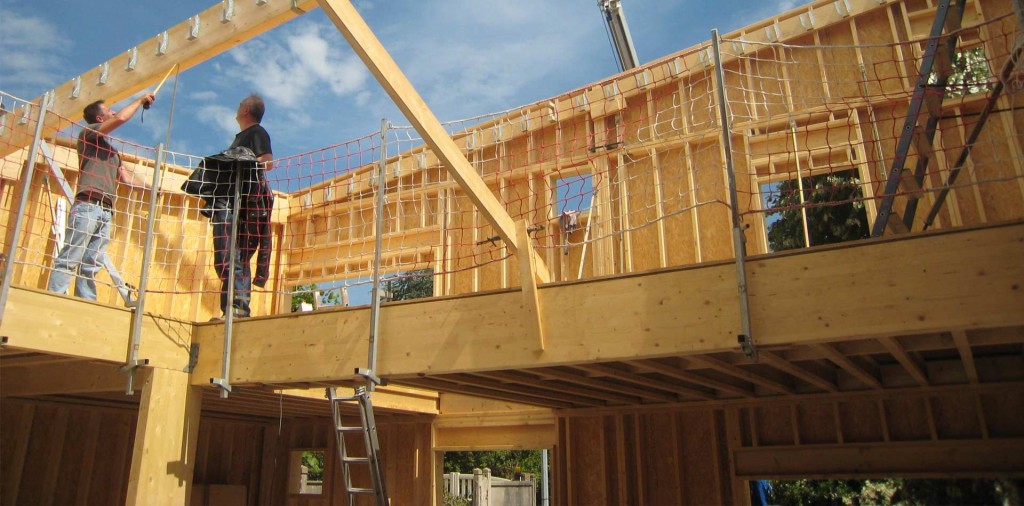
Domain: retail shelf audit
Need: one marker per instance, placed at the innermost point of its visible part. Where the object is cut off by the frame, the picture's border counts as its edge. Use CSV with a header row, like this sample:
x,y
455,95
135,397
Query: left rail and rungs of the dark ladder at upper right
x,y
911,129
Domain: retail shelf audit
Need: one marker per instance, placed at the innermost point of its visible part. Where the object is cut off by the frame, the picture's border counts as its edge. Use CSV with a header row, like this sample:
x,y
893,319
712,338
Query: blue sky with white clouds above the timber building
x,y
466,59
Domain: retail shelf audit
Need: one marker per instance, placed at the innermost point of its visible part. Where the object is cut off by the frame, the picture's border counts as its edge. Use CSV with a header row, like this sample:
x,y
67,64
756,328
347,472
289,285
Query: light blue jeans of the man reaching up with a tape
x,y
86,244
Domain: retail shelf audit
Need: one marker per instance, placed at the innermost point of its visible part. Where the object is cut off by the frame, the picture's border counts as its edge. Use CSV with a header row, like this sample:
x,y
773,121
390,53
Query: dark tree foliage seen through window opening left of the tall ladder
x,y
835,214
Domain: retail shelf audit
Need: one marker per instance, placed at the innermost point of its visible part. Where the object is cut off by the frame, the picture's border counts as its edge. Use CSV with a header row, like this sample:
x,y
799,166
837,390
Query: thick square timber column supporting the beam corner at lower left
x,y
164,455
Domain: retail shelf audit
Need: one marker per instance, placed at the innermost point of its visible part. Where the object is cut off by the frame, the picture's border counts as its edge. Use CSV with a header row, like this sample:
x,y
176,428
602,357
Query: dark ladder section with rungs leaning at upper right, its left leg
x,y
941,54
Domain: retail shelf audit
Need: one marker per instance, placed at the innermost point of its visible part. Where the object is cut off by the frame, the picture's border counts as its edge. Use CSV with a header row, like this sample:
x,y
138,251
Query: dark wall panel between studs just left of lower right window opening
x,y
698,448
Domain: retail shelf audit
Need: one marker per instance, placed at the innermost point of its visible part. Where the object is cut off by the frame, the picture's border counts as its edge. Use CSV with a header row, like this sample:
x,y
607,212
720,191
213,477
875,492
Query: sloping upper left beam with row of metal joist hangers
x,y
214,37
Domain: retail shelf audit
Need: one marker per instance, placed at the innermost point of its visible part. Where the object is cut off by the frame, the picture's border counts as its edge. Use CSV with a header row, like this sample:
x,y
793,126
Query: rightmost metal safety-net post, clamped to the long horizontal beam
x,y
739,245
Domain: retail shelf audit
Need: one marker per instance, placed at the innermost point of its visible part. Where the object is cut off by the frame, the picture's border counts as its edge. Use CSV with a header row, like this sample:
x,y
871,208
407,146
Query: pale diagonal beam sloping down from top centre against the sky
x,y
395,82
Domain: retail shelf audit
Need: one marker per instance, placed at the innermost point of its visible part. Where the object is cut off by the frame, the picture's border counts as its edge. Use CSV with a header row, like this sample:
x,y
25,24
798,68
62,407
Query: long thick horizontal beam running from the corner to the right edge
x,y
639,317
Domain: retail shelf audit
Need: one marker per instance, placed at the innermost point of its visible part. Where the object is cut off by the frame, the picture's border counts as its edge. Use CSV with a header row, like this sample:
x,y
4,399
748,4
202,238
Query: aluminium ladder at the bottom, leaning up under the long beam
x,y
372,460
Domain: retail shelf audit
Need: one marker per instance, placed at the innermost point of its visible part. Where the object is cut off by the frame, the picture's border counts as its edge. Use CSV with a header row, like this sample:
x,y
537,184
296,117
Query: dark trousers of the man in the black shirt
x,y
222,221
